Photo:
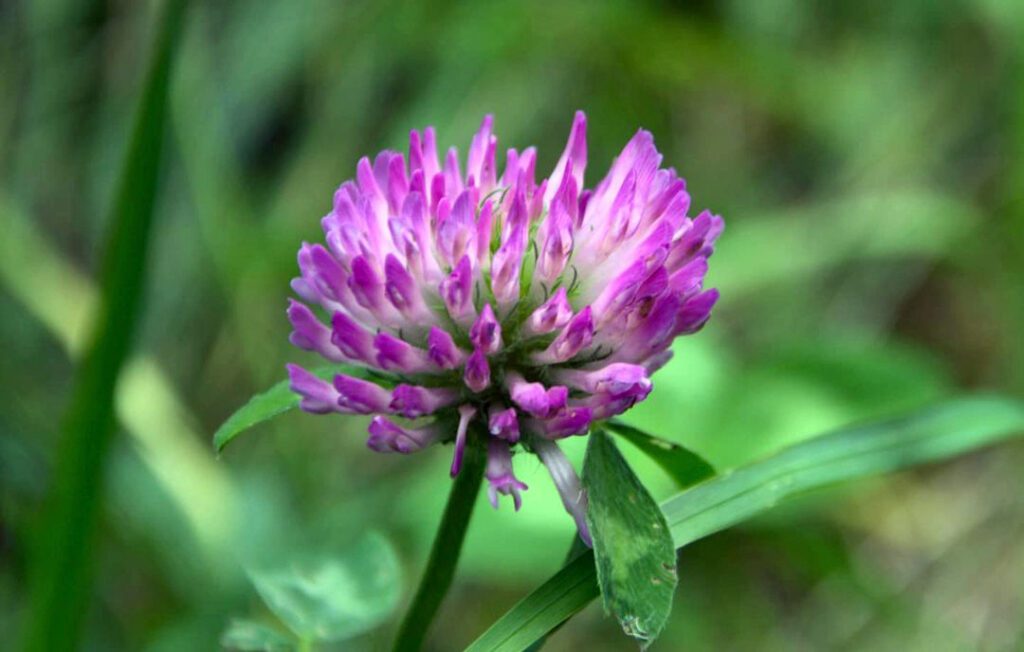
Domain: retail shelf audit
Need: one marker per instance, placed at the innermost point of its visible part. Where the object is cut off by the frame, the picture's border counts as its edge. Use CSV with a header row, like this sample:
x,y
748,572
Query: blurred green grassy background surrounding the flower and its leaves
x,y
869,159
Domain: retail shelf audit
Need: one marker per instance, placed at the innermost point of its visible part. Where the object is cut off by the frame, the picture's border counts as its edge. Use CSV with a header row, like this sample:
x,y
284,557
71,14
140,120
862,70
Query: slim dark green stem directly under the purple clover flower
x,y
445,553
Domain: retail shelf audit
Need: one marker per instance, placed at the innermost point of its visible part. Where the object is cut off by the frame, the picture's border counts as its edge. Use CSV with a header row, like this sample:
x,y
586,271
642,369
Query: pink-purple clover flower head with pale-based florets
x,y
526,311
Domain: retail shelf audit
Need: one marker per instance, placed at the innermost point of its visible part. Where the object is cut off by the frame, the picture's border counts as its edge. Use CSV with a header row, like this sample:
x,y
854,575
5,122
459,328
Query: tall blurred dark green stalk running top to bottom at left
x,y
62,562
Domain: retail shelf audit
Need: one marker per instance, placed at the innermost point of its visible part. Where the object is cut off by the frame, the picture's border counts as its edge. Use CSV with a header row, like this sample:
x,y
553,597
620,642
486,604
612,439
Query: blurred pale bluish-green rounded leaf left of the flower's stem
x,y
337,597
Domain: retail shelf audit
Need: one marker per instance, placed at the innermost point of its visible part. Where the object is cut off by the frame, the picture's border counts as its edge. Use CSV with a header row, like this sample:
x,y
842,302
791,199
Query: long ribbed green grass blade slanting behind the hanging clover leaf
x,y
929,436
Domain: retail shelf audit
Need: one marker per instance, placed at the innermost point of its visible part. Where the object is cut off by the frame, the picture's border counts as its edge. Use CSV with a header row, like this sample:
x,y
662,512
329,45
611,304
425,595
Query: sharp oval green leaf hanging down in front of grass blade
x,y
636,561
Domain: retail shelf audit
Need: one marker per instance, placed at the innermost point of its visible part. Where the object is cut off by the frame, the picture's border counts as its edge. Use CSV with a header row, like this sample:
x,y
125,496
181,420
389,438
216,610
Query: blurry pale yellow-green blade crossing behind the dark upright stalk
x,y
152,414
